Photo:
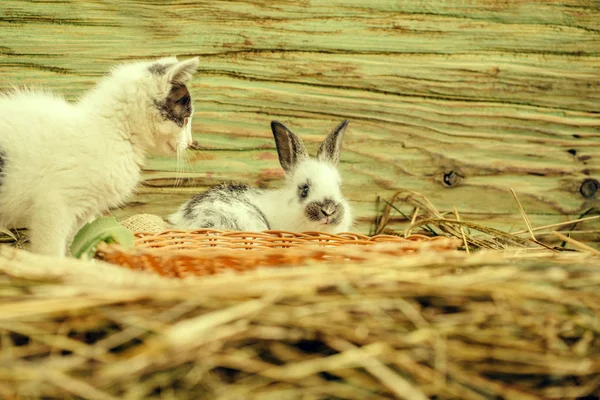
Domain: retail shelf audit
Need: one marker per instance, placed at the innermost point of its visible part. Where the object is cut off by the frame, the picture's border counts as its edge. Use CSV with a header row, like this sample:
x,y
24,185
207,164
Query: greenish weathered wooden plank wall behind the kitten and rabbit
x,y
460,100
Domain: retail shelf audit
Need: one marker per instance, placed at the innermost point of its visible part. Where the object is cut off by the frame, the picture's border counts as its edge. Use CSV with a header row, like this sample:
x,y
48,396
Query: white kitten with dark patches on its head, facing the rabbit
x,y
63,163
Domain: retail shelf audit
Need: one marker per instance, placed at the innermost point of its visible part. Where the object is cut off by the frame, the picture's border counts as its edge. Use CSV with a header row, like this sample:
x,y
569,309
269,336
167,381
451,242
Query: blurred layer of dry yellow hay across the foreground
x,y
441,325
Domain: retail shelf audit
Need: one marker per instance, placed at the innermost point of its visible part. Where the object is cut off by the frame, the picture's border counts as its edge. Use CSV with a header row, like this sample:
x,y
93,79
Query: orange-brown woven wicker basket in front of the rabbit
x,y
177,253
